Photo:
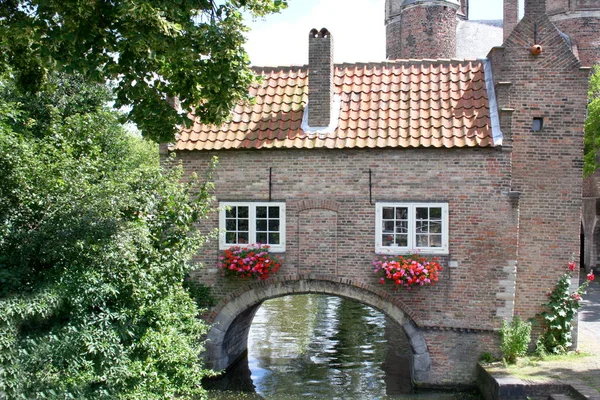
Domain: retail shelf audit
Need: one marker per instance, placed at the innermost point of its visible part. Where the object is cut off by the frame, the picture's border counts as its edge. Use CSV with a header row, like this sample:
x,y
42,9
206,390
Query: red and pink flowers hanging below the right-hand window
x,y
408,270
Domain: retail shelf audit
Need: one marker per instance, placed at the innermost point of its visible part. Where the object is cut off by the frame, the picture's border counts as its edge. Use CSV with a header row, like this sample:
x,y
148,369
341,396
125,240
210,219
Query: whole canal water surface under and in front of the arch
x,y
323,347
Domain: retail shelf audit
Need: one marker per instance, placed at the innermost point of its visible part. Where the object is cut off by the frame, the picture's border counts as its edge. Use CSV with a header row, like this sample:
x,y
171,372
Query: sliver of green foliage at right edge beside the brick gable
x,y
592,125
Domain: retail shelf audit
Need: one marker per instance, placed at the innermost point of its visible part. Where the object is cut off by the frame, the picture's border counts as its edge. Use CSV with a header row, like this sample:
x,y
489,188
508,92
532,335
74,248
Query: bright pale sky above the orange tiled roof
x,y
357,27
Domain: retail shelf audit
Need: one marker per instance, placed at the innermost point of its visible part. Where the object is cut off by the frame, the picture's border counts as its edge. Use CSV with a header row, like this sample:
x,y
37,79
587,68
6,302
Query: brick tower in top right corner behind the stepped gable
x,y
580,19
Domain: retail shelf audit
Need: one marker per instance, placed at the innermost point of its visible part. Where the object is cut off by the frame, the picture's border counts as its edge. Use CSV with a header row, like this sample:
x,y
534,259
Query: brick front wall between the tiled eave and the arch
x,y
341,221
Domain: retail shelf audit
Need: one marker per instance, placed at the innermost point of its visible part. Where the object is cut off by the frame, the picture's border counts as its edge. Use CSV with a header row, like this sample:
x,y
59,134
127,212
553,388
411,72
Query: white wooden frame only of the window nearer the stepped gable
x,y
411,247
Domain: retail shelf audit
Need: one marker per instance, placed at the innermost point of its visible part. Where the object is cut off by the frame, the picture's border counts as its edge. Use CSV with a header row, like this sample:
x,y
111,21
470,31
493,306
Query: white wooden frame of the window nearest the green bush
x,y
224,205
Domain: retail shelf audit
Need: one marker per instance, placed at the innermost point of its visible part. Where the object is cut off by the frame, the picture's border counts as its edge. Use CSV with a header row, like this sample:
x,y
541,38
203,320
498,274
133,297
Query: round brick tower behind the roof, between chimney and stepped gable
x,y
422,28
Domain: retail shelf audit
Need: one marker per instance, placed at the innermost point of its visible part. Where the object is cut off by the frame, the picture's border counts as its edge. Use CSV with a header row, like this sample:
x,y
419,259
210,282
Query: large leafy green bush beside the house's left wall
x,y
95,239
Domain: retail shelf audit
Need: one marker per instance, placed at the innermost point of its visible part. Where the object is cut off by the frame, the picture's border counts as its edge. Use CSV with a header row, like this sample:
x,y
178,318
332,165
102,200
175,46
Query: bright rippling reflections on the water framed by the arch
x,y
317,346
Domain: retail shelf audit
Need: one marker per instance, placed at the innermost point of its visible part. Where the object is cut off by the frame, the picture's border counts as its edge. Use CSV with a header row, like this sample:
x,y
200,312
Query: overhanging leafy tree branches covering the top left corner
x,y
149,49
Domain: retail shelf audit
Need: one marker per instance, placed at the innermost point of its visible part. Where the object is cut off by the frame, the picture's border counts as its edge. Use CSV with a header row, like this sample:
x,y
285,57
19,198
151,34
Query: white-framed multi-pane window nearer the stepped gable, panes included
x,y
408,227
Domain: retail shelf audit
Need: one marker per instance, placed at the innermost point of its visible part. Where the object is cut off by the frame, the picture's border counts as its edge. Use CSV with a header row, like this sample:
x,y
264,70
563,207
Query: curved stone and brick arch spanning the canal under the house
x,y
230,323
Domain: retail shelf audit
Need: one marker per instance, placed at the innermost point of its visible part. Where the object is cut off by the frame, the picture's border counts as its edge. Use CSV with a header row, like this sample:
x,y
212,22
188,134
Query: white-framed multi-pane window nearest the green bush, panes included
x,y
245,223
